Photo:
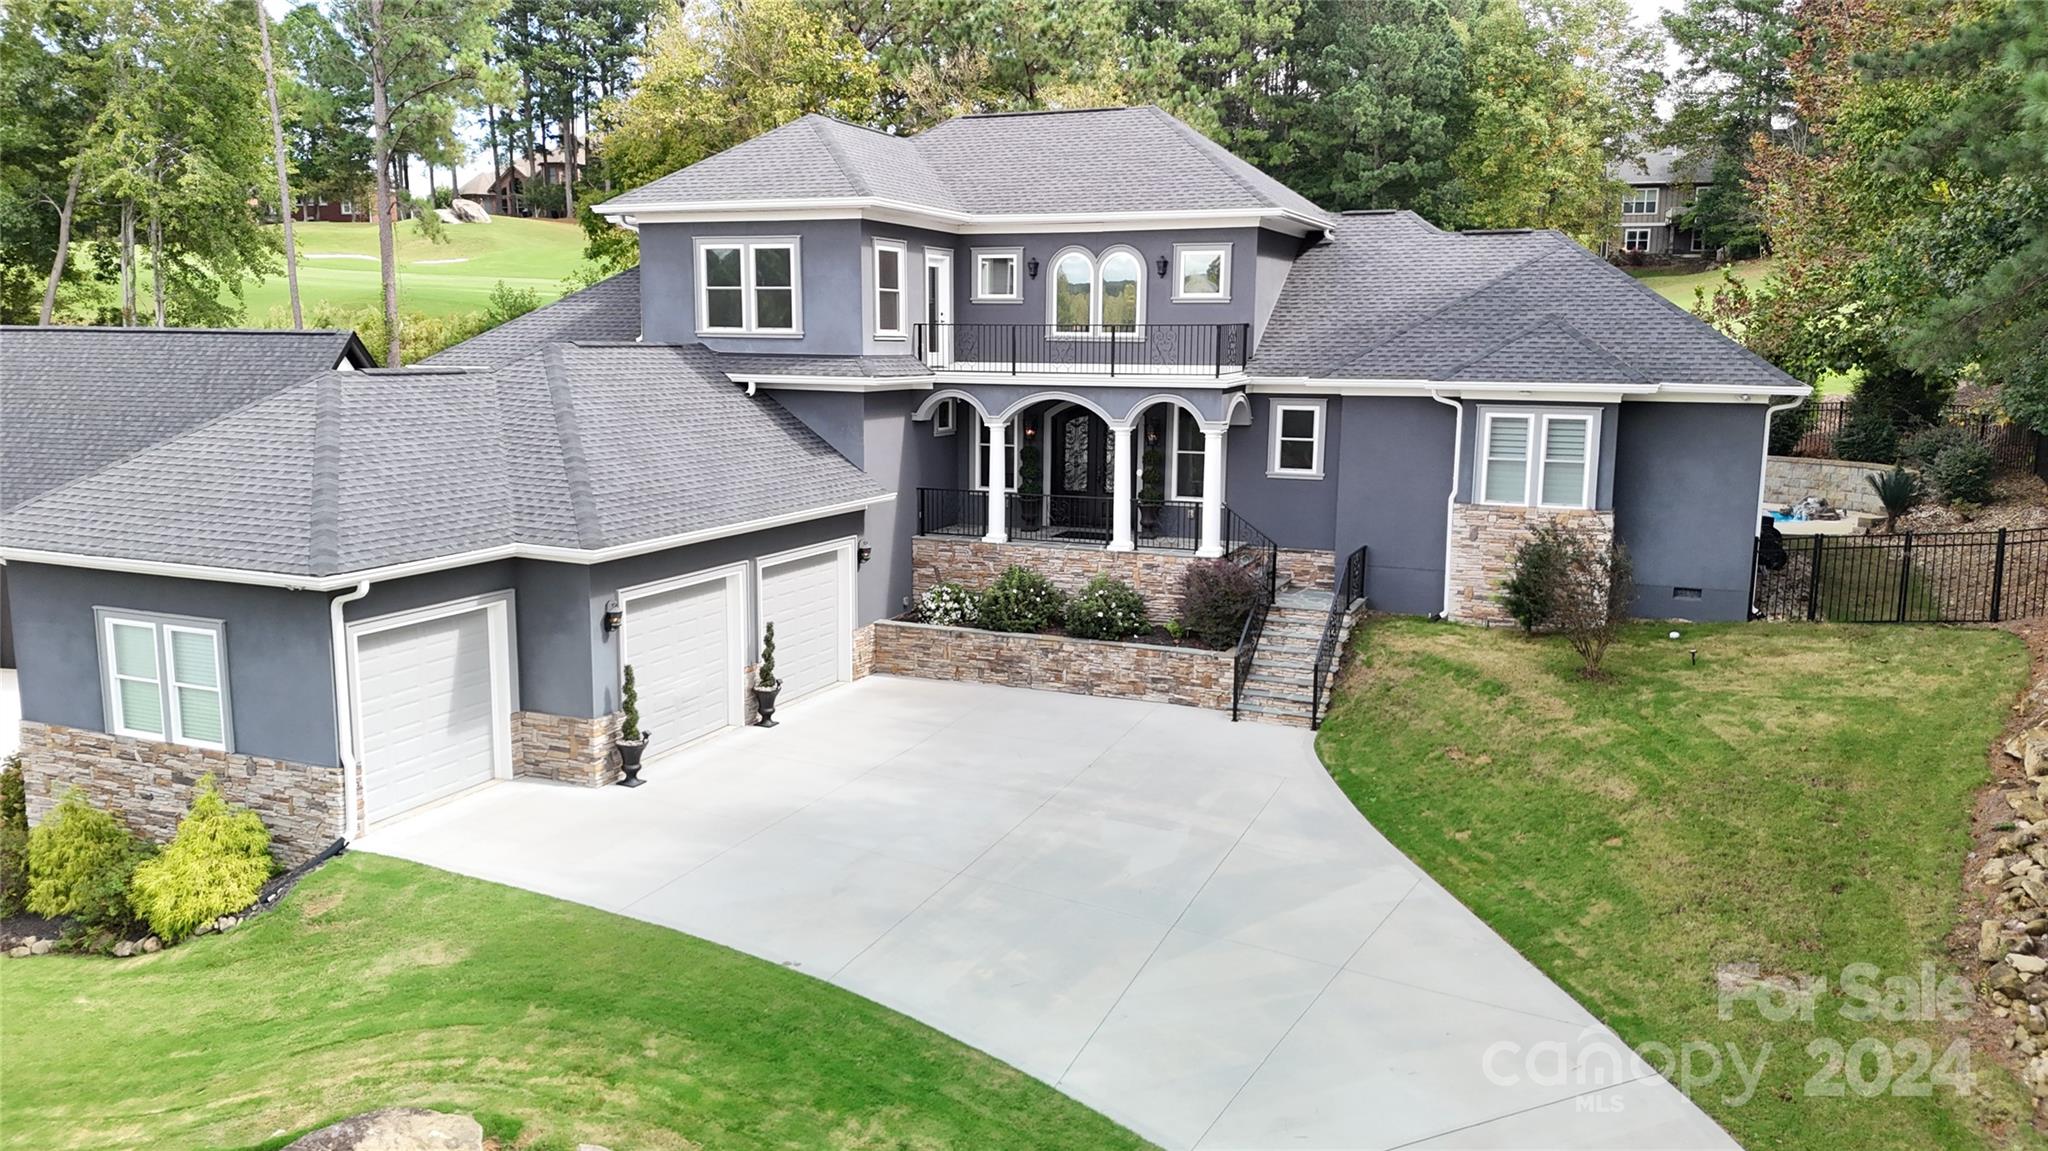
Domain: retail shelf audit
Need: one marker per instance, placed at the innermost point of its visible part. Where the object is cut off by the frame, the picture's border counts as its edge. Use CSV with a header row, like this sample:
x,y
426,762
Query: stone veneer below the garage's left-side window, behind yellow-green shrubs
x,y
151,785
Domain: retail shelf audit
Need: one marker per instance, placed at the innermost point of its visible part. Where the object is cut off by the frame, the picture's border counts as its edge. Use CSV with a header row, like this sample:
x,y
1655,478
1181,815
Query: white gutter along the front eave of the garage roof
x,y
435,564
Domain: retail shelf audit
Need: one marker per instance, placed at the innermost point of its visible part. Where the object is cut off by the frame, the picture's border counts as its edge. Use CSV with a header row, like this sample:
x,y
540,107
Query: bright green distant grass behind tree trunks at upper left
x,y
521,253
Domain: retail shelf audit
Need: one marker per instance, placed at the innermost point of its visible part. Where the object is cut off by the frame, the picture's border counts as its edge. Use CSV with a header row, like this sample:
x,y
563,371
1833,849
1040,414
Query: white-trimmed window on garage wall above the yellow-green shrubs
x,y
165,679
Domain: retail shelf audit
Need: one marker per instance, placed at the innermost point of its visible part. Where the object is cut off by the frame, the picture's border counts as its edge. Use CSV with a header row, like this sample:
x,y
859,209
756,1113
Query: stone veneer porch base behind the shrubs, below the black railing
x,y
976,564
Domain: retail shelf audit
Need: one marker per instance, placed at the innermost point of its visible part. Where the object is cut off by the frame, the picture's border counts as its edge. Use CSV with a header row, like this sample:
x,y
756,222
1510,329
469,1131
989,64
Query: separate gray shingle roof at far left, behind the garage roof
x,y
75,400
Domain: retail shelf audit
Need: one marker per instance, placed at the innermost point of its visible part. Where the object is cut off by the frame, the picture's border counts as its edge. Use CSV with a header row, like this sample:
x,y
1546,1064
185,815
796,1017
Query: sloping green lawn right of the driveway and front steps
x,y
1799,800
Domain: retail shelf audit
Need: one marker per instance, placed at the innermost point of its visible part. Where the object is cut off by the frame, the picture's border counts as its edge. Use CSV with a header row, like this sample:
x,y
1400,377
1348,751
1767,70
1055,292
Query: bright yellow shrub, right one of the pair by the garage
x,y
216,865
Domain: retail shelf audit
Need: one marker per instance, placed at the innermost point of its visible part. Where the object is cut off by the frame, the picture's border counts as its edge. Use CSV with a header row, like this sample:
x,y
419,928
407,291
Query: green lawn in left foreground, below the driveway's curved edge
x,y
384,984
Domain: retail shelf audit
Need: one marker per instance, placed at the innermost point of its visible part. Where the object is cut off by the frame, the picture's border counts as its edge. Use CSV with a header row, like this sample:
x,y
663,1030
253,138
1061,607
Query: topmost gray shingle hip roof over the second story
x,y
996,165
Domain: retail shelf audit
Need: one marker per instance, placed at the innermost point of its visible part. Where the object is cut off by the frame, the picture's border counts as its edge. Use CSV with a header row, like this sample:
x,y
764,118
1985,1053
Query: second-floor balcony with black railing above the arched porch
x,y
1086,349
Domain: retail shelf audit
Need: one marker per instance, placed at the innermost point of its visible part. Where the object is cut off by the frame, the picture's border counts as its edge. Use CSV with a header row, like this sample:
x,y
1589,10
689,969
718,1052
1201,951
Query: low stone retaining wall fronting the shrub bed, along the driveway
x,y
1054,663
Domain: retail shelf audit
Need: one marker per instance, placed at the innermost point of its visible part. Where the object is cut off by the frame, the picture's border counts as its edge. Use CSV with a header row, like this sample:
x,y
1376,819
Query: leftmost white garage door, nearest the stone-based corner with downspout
x,y
427,712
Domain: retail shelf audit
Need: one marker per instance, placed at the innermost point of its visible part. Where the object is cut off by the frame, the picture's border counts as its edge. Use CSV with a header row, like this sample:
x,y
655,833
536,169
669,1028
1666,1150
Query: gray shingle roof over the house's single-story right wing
x,y
1396,298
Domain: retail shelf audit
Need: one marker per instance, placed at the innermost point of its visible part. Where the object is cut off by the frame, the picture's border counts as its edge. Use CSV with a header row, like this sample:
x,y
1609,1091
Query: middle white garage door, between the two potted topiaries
x,y
683,646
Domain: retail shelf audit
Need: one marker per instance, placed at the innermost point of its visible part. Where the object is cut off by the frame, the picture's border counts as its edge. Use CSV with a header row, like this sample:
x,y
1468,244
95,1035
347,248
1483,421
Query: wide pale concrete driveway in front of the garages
x,y
1168,916
